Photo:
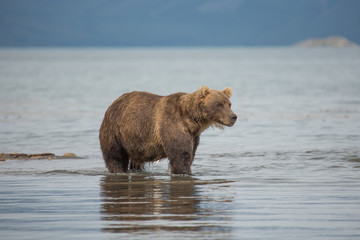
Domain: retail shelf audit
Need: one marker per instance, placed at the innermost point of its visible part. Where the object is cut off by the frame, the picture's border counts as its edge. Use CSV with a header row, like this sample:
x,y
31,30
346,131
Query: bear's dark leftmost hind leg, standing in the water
x,y
117,160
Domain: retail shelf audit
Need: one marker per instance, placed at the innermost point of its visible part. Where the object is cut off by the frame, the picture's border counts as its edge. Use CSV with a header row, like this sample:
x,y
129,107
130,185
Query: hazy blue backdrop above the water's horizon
x,y
149,23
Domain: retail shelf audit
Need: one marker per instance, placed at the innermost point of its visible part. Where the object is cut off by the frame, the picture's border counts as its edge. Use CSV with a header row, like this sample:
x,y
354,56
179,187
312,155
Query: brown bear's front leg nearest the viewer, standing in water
x,y
179,150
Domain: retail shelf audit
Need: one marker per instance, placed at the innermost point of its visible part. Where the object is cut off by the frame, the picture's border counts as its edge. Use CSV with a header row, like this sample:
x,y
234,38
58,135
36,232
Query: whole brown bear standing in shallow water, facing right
x,y
144,127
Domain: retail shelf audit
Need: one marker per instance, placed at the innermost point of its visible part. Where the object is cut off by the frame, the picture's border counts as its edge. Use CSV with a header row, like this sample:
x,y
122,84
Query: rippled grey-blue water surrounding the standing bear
x,y
288,169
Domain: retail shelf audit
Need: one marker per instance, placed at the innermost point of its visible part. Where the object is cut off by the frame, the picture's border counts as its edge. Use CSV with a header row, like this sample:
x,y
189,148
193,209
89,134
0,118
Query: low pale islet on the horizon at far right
x,y
326,42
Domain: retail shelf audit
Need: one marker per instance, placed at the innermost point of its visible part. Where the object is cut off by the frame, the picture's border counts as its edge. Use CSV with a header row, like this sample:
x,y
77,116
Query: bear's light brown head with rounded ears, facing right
x,y
216,106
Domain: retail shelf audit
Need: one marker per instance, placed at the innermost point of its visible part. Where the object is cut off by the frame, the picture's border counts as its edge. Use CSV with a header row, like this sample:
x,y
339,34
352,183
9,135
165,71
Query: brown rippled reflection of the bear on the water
x,y
143,203
